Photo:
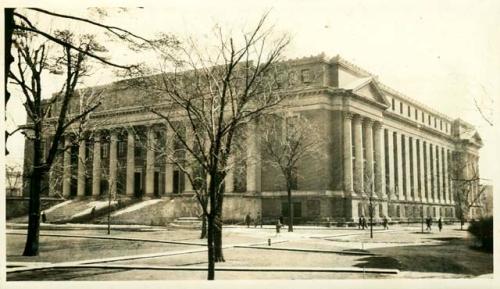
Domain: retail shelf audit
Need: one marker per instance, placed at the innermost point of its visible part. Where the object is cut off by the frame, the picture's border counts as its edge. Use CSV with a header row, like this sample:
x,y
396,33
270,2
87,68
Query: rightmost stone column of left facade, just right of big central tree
x,y
253,159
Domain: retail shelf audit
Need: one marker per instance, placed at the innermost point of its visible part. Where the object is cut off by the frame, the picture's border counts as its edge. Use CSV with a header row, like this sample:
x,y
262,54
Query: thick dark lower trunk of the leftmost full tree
x,y
31,246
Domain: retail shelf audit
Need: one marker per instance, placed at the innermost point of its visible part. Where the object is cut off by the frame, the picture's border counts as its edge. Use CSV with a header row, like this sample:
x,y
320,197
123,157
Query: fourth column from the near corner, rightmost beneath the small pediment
x,y
378,139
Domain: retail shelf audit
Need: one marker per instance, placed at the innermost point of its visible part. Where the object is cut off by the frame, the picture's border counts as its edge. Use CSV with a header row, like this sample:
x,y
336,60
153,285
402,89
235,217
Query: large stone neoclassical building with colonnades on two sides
x,y
382,146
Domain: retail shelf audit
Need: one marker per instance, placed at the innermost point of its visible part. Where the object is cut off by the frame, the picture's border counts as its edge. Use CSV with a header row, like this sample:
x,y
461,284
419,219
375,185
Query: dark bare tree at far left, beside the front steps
x,y
32,61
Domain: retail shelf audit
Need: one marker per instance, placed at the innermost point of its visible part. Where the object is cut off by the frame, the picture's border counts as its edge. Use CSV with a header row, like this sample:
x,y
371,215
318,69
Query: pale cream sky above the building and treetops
x,y
441,53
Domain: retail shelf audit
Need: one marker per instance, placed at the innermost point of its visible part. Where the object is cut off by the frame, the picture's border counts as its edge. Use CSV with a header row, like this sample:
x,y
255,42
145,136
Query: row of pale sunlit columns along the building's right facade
x,y
365,171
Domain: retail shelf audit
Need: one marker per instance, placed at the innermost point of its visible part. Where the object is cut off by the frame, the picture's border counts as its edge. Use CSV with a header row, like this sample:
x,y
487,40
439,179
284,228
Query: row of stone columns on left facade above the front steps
x,y
253,165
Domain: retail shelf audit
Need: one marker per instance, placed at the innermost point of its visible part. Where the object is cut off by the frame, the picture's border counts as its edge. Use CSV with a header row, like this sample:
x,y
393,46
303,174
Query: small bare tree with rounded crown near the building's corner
x,y
288,139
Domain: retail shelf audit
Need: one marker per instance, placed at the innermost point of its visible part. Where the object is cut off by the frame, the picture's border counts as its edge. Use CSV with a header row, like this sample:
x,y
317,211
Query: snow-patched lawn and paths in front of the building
x,y
155,253
